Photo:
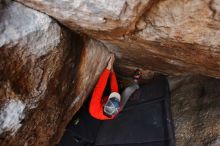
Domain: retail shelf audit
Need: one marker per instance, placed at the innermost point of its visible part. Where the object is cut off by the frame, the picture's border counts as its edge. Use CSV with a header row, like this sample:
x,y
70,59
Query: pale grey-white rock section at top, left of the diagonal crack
x,y
108,16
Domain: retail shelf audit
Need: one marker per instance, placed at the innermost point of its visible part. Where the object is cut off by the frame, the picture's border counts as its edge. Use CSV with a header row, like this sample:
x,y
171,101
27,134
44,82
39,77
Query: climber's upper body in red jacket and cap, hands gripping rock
x,y
104,108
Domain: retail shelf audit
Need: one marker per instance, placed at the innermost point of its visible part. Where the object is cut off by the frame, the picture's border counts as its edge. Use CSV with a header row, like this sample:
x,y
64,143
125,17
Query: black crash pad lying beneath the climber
x,y
146,120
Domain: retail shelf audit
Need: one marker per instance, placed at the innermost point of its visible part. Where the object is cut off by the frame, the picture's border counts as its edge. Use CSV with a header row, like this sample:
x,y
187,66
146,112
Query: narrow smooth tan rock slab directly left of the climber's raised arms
x,y
93,60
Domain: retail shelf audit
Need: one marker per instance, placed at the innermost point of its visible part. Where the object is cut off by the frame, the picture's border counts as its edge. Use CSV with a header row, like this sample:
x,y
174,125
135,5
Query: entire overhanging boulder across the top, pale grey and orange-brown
x,y
172,36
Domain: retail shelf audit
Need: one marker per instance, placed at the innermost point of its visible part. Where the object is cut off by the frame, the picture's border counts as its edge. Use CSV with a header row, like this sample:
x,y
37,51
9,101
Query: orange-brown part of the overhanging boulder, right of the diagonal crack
x,y
174,37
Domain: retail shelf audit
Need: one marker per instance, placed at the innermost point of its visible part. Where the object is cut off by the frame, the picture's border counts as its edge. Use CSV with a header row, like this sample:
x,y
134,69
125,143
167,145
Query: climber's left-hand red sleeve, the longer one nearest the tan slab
x,y
96,107
